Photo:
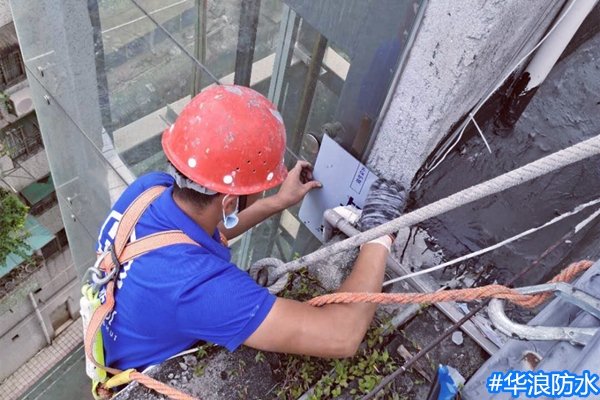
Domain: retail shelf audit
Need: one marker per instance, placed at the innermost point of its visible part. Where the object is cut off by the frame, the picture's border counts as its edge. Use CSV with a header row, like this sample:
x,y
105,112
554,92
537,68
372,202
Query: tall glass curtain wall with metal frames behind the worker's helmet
x,y
108,77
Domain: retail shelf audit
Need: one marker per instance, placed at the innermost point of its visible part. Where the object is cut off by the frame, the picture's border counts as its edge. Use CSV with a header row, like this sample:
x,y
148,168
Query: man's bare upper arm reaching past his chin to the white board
x,y
297,184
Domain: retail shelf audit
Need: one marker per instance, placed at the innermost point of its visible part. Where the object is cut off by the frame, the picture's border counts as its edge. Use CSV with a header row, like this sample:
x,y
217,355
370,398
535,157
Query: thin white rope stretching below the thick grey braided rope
x,y
504,242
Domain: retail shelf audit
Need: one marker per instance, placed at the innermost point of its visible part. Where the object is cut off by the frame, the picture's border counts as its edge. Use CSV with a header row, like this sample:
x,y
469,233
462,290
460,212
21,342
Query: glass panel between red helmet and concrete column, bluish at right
x,y
324,80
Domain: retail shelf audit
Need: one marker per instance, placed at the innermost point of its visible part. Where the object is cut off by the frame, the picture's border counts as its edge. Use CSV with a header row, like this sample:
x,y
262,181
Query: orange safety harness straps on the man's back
x,y
104,274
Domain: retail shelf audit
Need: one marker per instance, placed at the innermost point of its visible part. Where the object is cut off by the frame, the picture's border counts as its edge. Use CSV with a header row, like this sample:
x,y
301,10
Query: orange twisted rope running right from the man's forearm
x,y
464,295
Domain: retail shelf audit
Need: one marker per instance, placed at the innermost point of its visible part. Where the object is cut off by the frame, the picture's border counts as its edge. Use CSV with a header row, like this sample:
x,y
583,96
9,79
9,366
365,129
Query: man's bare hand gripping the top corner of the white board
x,y
297,184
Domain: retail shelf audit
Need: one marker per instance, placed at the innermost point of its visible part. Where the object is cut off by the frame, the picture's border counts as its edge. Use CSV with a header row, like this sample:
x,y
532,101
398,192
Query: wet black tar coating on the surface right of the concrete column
x,y
564,111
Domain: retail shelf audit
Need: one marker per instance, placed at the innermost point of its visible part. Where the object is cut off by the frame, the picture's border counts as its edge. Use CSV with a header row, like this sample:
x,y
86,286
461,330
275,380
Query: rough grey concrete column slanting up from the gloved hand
x,y
462,50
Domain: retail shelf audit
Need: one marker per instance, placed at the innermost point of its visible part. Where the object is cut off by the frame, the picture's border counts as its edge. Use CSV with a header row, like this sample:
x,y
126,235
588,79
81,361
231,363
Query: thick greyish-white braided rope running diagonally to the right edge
x,y
545,165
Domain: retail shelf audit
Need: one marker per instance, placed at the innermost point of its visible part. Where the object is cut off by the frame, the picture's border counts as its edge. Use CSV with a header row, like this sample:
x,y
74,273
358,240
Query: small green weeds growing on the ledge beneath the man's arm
x,y
319,378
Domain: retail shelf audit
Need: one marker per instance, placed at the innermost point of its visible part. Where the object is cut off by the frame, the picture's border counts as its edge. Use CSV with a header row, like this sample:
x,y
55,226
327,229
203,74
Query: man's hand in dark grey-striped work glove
x,y
385,202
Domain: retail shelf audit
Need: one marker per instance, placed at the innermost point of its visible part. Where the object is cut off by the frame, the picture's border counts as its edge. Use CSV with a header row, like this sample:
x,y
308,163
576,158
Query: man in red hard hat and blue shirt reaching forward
x,y
225,150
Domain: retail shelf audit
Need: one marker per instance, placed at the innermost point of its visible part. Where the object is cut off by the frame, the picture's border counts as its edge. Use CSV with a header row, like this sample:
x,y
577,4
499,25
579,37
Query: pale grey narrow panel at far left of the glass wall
x,y
58,54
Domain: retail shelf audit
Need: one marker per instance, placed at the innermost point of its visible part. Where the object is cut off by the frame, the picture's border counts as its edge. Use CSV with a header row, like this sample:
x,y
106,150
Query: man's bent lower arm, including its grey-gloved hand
x,y
336,330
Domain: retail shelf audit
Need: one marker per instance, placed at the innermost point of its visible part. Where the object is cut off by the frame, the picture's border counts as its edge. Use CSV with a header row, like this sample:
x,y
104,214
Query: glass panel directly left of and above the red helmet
x,y
149,78
